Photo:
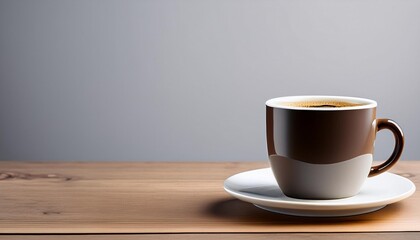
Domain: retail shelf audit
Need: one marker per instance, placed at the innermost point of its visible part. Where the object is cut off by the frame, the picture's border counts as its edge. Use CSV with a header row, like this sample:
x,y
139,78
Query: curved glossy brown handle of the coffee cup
x,y
399,145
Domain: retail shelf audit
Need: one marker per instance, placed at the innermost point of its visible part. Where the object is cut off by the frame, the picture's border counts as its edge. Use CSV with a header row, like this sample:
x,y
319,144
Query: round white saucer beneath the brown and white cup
x,y
260,188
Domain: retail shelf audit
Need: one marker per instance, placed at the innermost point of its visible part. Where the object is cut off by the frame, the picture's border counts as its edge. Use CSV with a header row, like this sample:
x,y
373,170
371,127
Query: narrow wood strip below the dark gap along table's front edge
x,y
217,236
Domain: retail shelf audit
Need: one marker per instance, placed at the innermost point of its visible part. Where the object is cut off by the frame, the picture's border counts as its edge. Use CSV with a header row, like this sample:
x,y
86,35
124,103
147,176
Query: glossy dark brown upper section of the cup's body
x,y
320,137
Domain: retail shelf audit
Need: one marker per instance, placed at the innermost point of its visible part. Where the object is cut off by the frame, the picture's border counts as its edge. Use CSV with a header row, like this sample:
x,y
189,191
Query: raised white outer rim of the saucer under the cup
x,y
318,204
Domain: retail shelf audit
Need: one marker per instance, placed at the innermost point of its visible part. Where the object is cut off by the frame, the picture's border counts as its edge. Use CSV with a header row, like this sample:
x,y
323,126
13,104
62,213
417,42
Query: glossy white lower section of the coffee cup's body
x,y
300,179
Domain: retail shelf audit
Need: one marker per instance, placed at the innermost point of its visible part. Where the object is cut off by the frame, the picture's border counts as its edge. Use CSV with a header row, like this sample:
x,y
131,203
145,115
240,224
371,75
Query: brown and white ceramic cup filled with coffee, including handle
x,y
321,147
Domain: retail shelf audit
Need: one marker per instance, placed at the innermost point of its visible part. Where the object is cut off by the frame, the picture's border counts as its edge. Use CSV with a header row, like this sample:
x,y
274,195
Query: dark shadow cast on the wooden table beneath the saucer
x,y
237,210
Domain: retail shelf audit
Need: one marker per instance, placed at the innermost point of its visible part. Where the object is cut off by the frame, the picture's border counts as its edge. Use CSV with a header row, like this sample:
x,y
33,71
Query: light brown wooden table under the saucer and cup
x,y
140,200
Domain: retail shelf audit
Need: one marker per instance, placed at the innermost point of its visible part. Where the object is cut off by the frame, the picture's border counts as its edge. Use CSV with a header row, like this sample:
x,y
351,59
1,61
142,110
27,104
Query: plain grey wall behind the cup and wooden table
x,y
187,80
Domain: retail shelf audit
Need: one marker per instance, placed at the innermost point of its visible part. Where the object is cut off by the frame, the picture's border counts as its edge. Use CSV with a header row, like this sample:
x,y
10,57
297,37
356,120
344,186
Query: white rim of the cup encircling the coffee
x,y
277,102
